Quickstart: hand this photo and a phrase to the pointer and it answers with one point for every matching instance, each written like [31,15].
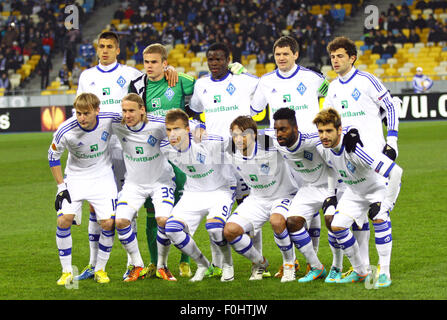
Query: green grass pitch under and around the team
[29,264]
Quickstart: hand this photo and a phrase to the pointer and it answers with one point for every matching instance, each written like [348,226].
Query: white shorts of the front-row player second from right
[307,202]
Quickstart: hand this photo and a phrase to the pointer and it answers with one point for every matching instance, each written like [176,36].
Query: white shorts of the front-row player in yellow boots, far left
[101,193]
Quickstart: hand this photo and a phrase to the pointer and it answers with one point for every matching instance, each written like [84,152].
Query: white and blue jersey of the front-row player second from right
[304,159]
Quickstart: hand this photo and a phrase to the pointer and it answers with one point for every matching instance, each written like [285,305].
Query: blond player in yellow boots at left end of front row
[88,176]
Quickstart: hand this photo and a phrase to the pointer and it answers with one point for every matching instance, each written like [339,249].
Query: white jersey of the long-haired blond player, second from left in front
[141,150]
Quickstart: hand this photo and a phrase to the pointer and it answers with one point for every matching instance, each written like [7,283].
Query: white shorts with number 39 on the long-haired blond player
[133,196]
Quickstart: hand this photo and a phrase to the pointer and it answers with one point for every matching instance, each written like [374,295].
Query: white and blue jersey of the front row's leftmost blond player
[88,150]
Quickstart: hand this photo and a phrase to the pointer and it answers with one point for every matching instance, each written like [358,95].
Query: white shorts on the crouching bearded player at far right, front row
[354,208]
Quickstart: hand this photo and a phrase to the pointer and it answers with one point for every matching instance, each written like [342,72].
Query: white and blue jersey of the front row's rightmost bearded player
[362,171]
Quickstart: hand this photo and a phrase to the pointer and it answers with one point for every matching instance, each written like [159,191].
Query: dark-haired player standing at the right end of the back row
[360,98]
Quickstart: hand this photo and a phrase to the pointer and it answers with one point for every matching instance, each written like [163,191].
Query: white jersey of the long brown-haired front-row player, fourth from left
[265,170]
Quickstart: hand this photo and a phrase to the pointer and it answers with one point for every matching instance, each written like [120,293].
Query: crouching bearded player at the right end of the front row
[367,195]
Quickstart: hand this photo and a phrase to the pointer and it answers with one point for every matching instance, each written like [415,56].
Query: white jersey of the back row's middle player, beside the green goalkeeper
[223,100]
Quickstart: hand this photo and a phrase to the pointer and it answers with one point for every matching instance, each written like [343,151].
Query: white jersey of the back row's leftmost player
[109,83]
